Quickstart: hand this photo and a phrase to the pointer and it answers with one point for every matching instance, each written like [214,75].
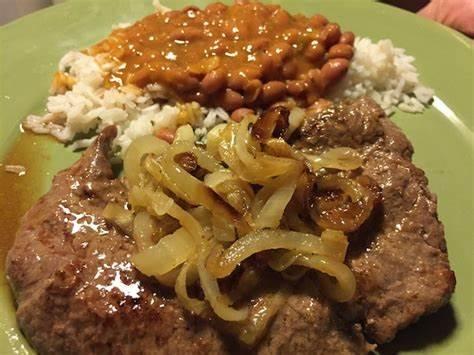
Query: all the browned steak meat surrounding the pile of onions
[77,292]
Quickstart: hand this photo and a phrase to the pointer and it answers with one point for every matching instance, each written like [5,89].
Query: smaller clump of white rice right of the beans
[385,73]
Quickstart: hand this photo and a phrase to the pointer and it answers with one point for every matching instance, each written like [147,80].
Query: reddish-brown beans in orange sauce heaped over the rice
[244,55]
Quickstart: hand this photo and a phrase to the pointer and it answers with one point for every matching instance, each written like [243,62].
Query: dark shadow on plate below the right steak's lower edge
[428,330]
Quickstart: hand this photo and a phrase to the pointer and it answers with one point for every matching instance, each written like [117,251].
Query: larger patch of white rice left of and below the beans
[88,106]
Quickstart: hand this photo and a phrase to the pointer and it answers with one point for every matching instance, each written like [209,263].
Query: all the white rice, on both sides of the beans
[378,70]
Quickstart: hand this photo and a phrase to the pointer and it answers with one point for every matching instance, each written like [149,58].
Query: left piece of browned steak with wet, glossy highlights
[77,292]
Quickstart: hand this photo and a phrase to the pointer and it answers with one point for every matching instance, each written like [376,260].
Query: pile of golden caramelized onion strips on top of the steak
[235,199]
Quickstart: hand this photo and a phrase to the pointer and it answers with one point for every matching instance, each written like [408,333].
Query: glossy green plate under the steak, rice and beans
[442,136]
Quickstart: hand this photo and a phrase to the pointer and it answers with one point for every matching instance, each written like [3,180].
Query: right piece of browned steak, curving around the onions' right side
[400,260]
